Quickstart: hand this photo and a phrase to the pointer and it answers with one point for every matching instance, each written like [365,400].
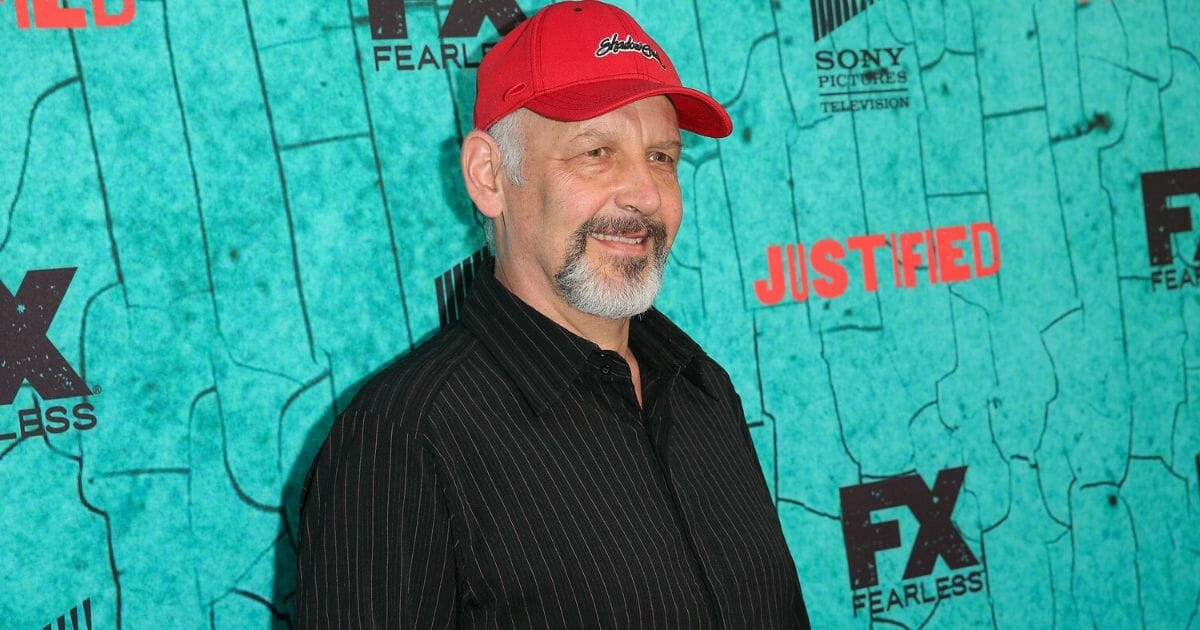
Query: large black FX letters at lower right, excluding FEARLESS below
[933,508]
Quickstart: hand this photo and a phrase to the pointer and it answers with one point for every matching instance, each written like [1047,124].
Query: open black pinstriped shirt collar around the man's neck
[543,358]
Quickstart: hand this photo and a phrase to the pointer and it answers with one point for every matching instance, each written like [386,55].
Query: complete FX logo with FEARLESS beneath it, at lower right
[938,537]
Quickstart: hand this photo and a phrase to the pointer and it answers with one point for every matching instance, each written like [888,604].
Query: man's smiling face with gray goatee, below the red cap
[599,211]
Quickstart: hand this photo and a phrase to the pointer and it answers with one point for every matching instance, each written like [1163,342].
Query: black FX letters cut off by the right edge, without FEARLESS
[1162,219]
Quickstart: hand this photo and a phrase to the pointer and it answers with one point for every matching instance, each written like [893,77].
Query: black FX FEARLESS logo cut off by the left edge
[27,355]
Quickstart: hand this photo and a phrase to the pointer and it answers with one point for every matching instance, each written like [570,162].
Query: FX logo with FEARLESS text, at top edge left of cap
[464,21]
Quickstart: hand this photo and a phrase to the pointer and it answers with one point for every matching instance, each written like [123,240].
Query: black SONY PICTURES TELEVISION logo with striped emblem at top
[856,80]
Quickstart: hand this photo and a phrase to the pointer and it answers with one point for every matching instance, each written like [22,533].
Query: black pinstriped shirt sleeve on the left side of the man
[376,547]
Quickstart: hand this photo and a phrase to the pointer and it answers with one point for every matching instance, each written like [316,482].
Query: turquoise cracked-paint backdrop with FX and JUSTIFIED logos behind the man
[950,257]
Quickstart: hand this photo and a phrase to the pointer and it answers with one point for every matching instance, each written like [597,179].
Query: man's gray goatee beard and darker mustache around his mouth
[590,291]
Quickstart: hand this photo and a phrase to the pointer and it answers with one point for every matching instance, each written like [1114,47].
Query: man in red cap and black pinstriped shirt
[565,457]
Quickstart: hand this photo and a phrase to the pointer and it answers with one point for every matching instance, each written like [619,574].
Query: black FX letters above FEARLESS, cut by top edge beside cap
[465,19]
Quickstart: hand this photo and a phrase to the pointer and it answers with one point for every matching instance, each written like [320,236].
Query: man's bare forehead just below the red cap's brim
[649,121]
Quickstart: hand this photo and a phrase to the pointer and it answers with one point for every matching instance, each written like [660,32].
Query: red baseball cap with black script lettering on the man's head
[579,61]
